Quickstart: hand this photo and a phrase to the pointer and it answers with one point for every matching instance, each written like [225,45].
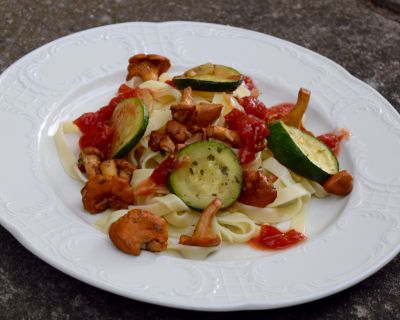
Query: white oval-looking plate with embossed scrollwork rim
[349,238]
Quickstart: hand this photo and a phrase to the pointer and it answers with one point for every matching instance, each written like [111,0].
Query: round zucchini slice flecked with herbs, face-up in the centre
[213,172]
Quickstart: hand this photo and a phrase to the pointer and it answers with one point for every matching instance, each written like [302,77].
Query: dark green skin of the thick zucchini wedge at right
[287,152]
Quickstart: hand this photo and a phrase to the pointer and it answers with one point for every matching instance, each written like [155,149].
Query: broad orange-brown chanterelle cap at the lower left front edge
[139,229]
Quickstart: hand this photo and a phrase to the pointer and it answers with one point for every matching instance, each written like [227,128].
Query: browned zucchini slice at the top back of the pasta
[209,77]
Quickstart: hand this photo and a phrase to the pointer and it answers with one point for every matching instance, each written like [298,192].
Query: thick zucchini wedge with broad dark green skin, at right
[302,153]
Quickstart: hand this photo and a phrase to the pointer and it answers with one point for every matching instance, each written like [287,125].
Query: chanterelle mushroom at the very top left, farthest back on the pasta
[147,66]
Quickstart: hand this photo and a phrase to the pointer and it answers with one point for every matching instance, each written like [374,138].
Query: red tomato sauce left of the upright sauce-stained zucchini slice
[96,127]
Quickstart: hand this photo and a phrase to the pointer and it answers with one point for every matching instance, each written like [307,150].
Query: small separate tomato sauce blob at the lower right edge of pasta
[271,238]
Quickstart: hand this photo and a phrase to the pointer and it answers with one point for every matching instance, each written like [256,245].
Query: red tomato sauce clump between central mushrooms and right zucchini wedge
[252,130]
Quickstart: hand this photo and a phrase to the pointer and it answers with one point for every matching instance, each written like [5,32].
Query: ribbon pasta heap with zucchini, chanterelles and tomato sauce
[189,162]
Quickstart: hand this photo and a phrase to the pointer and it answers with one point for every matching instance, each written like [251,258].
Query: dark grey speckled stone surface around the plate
[362,36]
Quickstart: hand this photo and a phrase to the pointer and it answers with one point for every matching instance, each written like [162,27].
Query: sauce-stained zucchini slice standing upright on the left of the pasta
[129,119]
